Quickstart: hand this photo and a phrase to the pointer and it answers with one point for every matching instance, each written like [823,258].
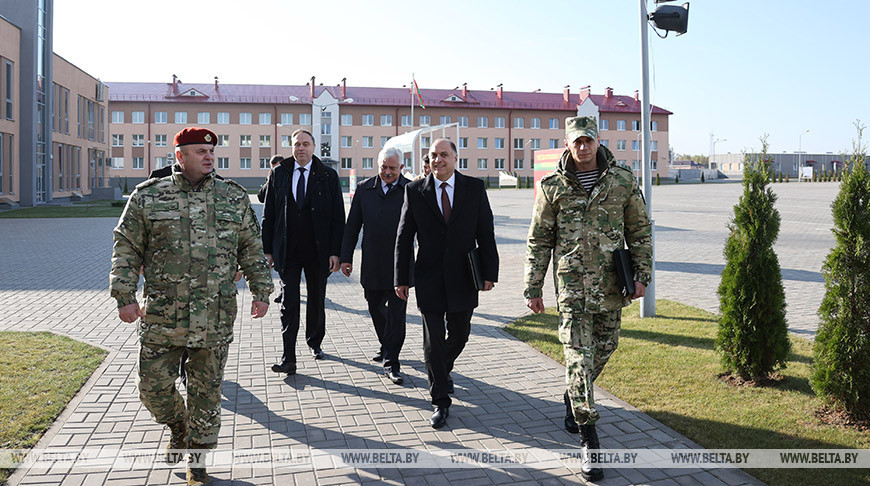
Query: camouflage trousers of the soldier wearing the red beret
[158,370]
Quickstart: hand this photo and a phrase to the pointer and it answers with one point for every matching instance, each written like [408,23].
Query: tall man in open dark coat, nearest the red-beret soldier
[303,221]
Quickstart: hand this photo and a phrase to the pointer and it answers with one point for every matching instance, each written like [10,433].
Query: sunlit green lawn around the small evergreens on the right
[666,366]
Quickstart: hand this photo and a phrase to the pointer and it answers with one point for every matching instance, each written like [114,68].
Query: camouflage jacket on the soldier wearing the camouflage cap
[581,230]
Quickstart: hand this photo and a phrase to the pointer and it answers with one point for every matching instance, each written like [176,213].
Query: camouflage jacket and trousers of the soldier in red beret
[189,242]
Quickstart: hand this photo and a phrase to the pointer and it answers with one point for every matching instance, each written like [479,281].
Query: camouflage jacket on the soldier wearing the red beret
[189,243]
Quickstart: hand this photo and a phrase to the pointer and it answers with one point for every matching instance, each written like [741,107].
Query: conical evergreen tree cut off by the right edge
[841,369]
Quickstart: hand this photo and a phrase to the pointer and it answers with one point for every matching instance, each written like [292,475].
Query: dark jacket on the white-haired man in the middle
[379,213]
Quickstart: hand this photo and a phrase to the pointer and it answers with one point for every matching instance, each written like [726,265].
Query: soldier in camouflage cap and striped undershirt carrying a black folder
[589,207]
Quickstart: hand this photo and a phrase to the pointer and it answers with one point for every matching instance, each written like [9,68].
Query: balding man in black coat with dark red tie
[450,215]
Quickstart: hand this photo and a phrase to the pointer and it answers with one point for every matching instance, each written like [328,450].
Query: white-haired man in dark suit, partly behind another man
[377,205]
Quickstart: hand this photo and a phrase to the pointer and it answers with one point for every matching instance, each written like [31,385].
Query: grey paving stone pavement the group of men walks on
[54,276]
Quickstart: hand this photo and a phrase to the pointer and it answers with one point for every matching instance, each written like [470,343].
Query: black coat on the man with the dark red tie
[441,273]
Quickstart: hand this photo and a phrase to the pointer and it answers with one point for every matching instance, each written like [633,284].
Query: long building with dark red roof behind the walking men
[494,130]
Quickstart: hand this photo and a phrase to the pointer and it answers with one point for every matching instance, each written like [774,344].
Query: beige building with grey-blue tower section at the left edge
[53,134]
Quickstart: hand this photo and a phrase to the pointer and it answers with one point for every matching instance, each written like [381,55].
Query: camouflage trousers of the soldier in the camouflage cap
[589,340]
